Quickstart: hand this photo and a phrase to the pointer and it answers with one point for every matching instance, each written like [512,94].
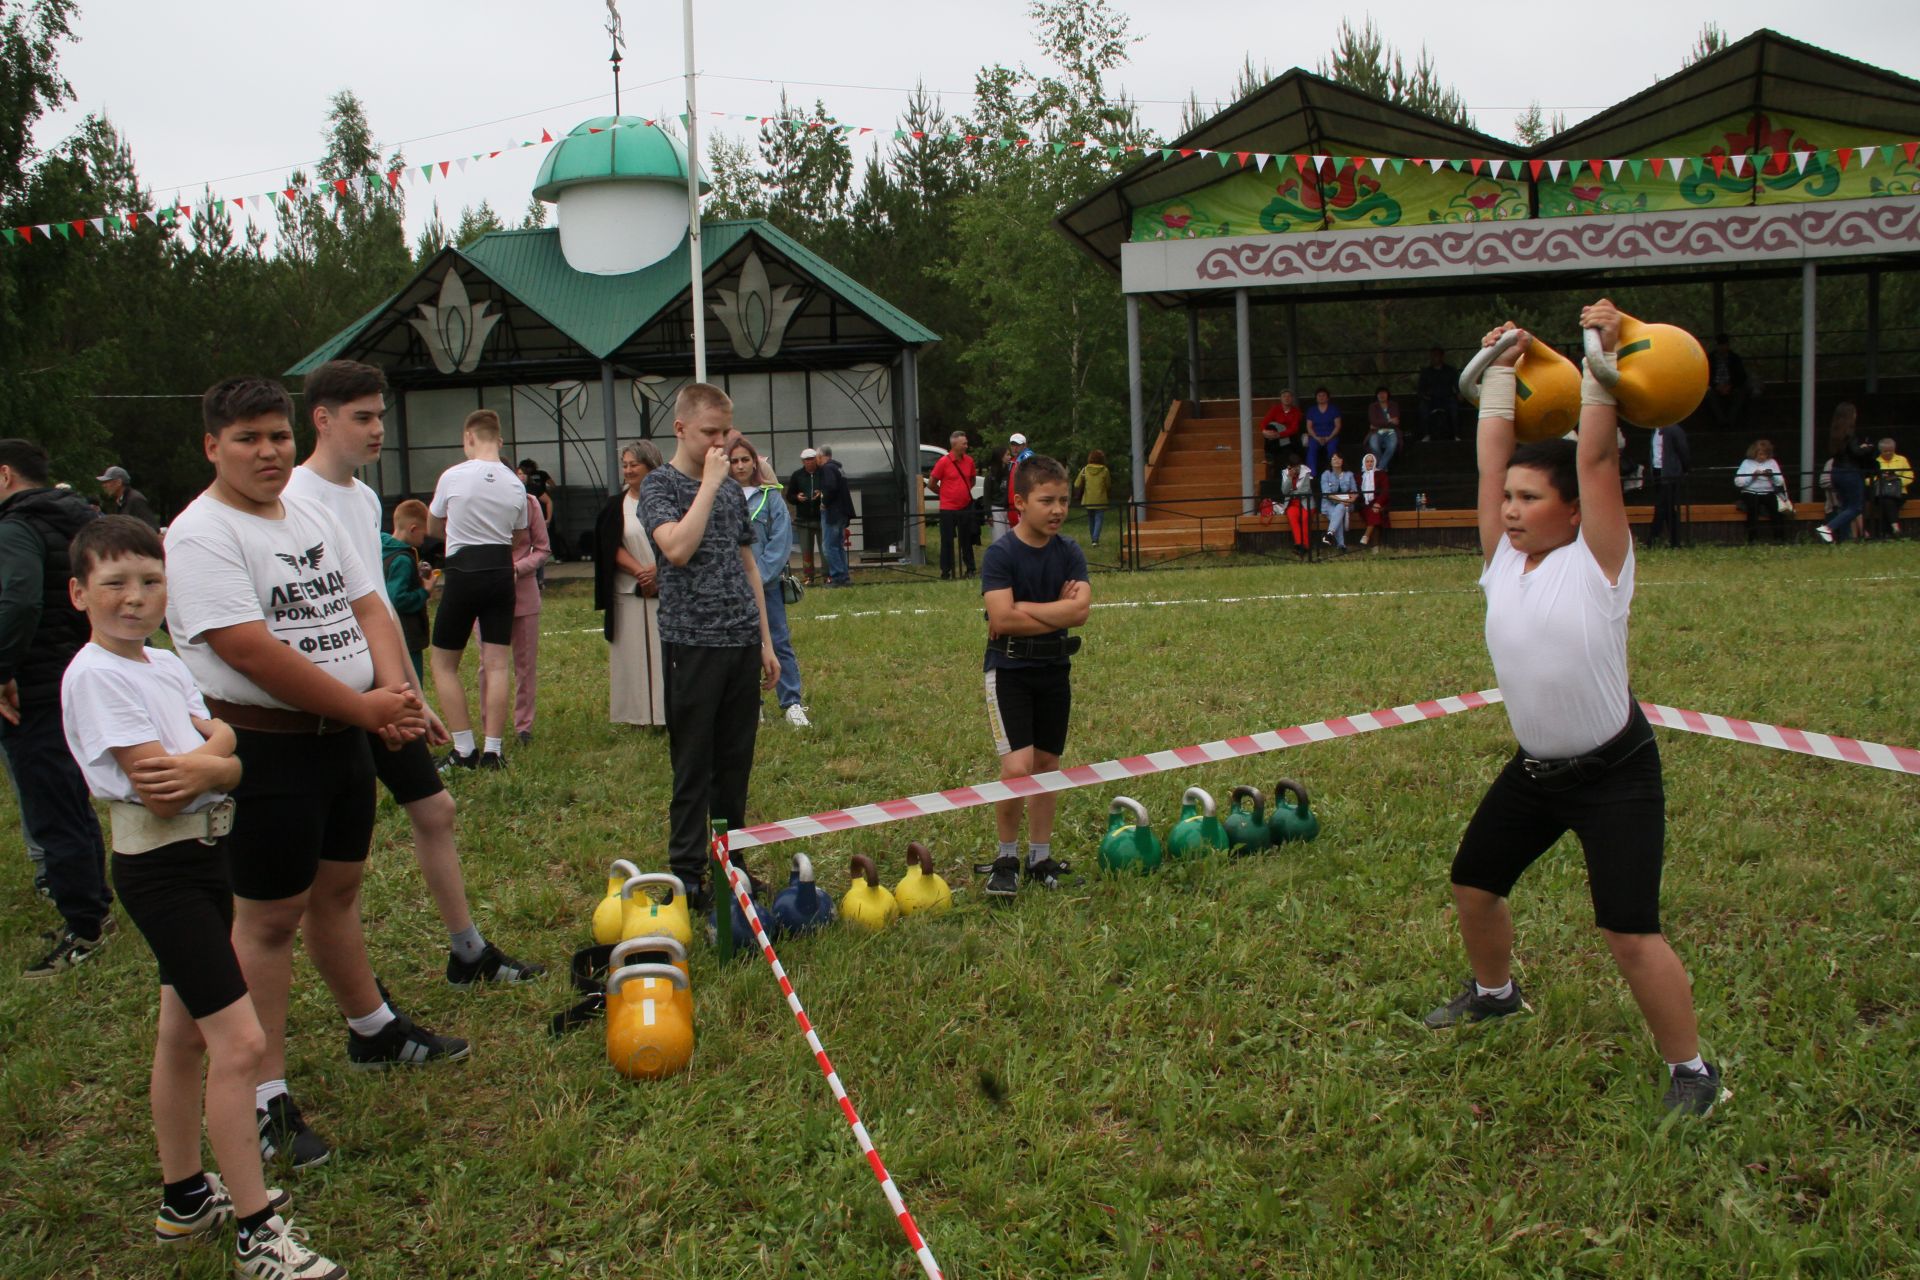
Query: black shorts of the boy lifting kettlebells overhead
[1621,820]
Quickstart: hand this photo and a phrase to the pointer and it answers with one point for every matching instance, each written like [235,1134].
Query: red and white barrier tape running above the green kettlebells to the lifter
[1109,770]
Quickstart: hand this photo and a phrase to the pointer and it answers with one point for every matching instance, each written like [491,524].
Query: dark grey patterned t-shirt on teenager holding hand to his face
[706,602]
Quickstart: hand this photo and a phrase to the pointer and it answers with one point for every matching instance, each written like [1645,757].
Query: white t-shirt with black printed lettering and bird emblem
[299,575]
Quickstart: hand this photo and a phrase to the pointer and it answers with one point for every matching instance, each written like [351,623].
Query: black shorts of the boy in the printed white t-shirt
[302,797]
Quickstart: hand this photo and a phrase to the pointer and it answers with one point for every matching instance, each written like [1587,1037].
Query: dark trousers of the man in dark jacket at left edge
[60,817]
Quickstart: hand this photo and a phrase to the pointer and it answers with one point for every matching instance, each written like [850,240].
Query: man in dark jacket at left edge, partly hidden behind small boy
[39,634]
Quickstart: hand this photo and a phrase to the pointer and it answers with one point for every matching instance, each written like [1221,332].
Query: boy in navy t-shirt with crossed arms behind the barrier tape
[1034,584]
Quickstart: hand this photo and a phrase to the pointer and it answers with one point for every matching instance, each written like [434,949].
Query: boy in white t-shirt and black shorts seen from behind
[481,510]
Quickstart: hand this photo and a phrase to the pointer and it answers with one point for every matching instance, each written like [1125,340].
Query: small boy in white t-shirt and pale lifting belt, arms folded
[145,740]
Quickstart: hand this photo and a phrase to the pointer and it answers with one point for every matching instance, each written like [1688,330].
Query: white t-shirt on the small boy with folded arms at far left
[110,701]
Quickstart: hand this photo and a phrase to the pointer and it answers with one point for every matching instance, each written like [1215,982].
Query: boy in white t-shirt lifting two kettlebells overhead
[1560,581]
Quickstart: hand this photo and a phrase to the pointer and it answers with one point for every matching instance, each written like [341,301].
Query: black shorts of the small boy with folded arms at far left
[178,897]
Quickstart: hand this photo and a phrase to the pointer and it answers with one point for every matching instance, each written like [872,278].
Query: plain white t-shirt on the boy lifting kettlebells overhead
[1558,638]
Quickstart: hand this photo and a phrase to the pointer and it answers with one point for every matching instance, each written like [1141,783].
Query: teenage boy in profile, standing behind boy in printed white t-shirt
[347,404]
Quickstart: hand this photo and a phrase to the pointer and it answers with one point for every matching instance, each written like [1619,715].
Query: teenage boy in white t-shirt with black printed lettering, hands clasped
[291,644]
